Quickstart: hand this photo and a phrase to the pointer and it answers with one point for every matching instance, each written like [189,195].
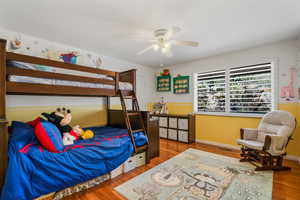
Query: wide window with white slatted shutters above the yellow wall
[245,89]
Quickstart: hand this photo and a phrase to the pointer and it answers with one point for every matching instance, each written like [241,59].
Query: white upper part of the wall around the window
[284,53]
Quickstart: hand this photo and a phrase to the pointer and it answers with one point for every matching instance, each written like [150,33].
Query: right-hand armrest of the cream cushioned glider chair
[275,144]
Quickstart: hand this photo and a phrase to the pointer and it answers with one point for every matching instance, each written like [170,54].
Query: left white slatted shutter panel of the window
[211,91]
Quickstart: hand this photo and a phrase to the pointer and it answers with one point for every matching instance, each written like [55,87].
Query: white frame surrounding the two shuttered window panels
[274,88]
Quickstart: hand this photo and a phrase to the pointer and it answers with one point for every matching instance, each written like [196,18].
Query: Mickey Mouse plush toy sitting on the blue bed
[61,119]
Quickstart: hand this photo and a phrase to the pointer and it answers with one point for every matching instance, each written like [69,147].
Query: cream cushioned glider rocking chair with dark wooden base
[267,144]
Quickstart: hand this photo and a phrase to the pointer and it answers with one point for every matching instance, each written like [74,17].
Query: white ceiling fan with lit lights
[163,41]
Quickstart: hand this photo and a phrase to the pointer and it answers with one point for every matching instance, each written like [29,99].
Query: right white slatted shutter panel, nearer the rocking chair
[250,89]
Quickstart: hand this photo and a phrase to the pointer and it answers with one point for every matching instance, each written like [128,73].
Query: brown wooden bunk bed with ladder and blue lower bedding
[18,78]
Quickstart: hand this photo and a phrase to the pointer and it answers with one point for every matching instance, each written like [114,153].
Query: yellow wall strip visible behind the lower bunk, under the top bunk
[90,115]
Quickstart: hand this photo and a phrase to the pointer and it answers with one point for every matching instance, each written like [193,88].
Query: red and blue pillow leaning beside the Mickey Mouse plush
[49,136]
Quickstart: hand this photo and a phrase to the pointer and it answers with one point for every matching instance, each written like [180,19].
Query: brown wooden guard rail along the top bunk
[44,89]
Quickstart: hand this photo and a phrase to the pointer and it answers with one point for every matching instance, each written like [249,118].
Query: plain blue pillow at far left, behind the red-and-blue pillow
[21,134]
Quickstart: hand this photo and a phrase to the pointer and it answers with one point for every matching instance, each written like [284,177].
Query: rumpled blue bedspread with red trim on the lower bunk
[33,171]
